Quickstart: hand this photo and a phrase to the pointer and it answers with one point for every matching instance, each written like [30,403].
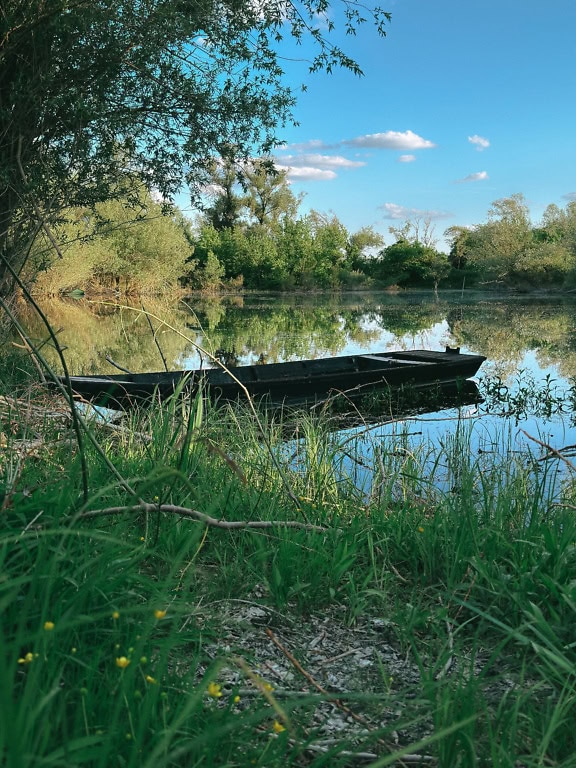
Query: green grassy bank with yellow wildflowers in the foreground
[428,618]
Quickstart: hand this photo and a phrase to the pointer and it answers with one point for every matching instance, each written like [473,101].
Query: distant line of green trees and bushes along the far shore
[250,234]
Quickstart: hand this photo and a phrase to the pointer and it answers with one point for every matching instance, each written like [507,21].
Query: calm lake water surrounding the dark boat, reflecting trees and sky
[530,344]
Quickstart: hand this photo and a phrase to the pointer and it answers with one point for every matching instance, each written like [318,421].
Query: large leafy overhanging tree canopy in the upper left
[90,89]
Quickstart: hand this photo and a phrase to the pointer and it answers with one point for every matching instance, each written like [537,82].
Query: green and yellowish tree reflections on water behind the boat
[278,328]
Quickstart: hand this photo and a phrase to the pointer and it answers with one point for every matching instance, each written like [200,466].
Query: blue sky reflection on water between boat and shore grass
[492,446]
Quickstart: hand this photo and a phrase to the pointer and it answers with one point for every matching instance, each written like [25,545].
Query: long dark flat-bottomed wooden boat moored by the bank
[281,382]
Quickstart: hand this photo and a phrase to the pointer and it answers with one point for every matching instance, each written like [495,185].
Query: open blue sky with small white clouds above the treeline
[462,103]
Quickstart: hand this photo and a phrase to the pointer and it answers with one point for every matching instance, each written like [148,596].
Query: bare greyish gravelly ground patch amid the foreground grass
[359,690]
